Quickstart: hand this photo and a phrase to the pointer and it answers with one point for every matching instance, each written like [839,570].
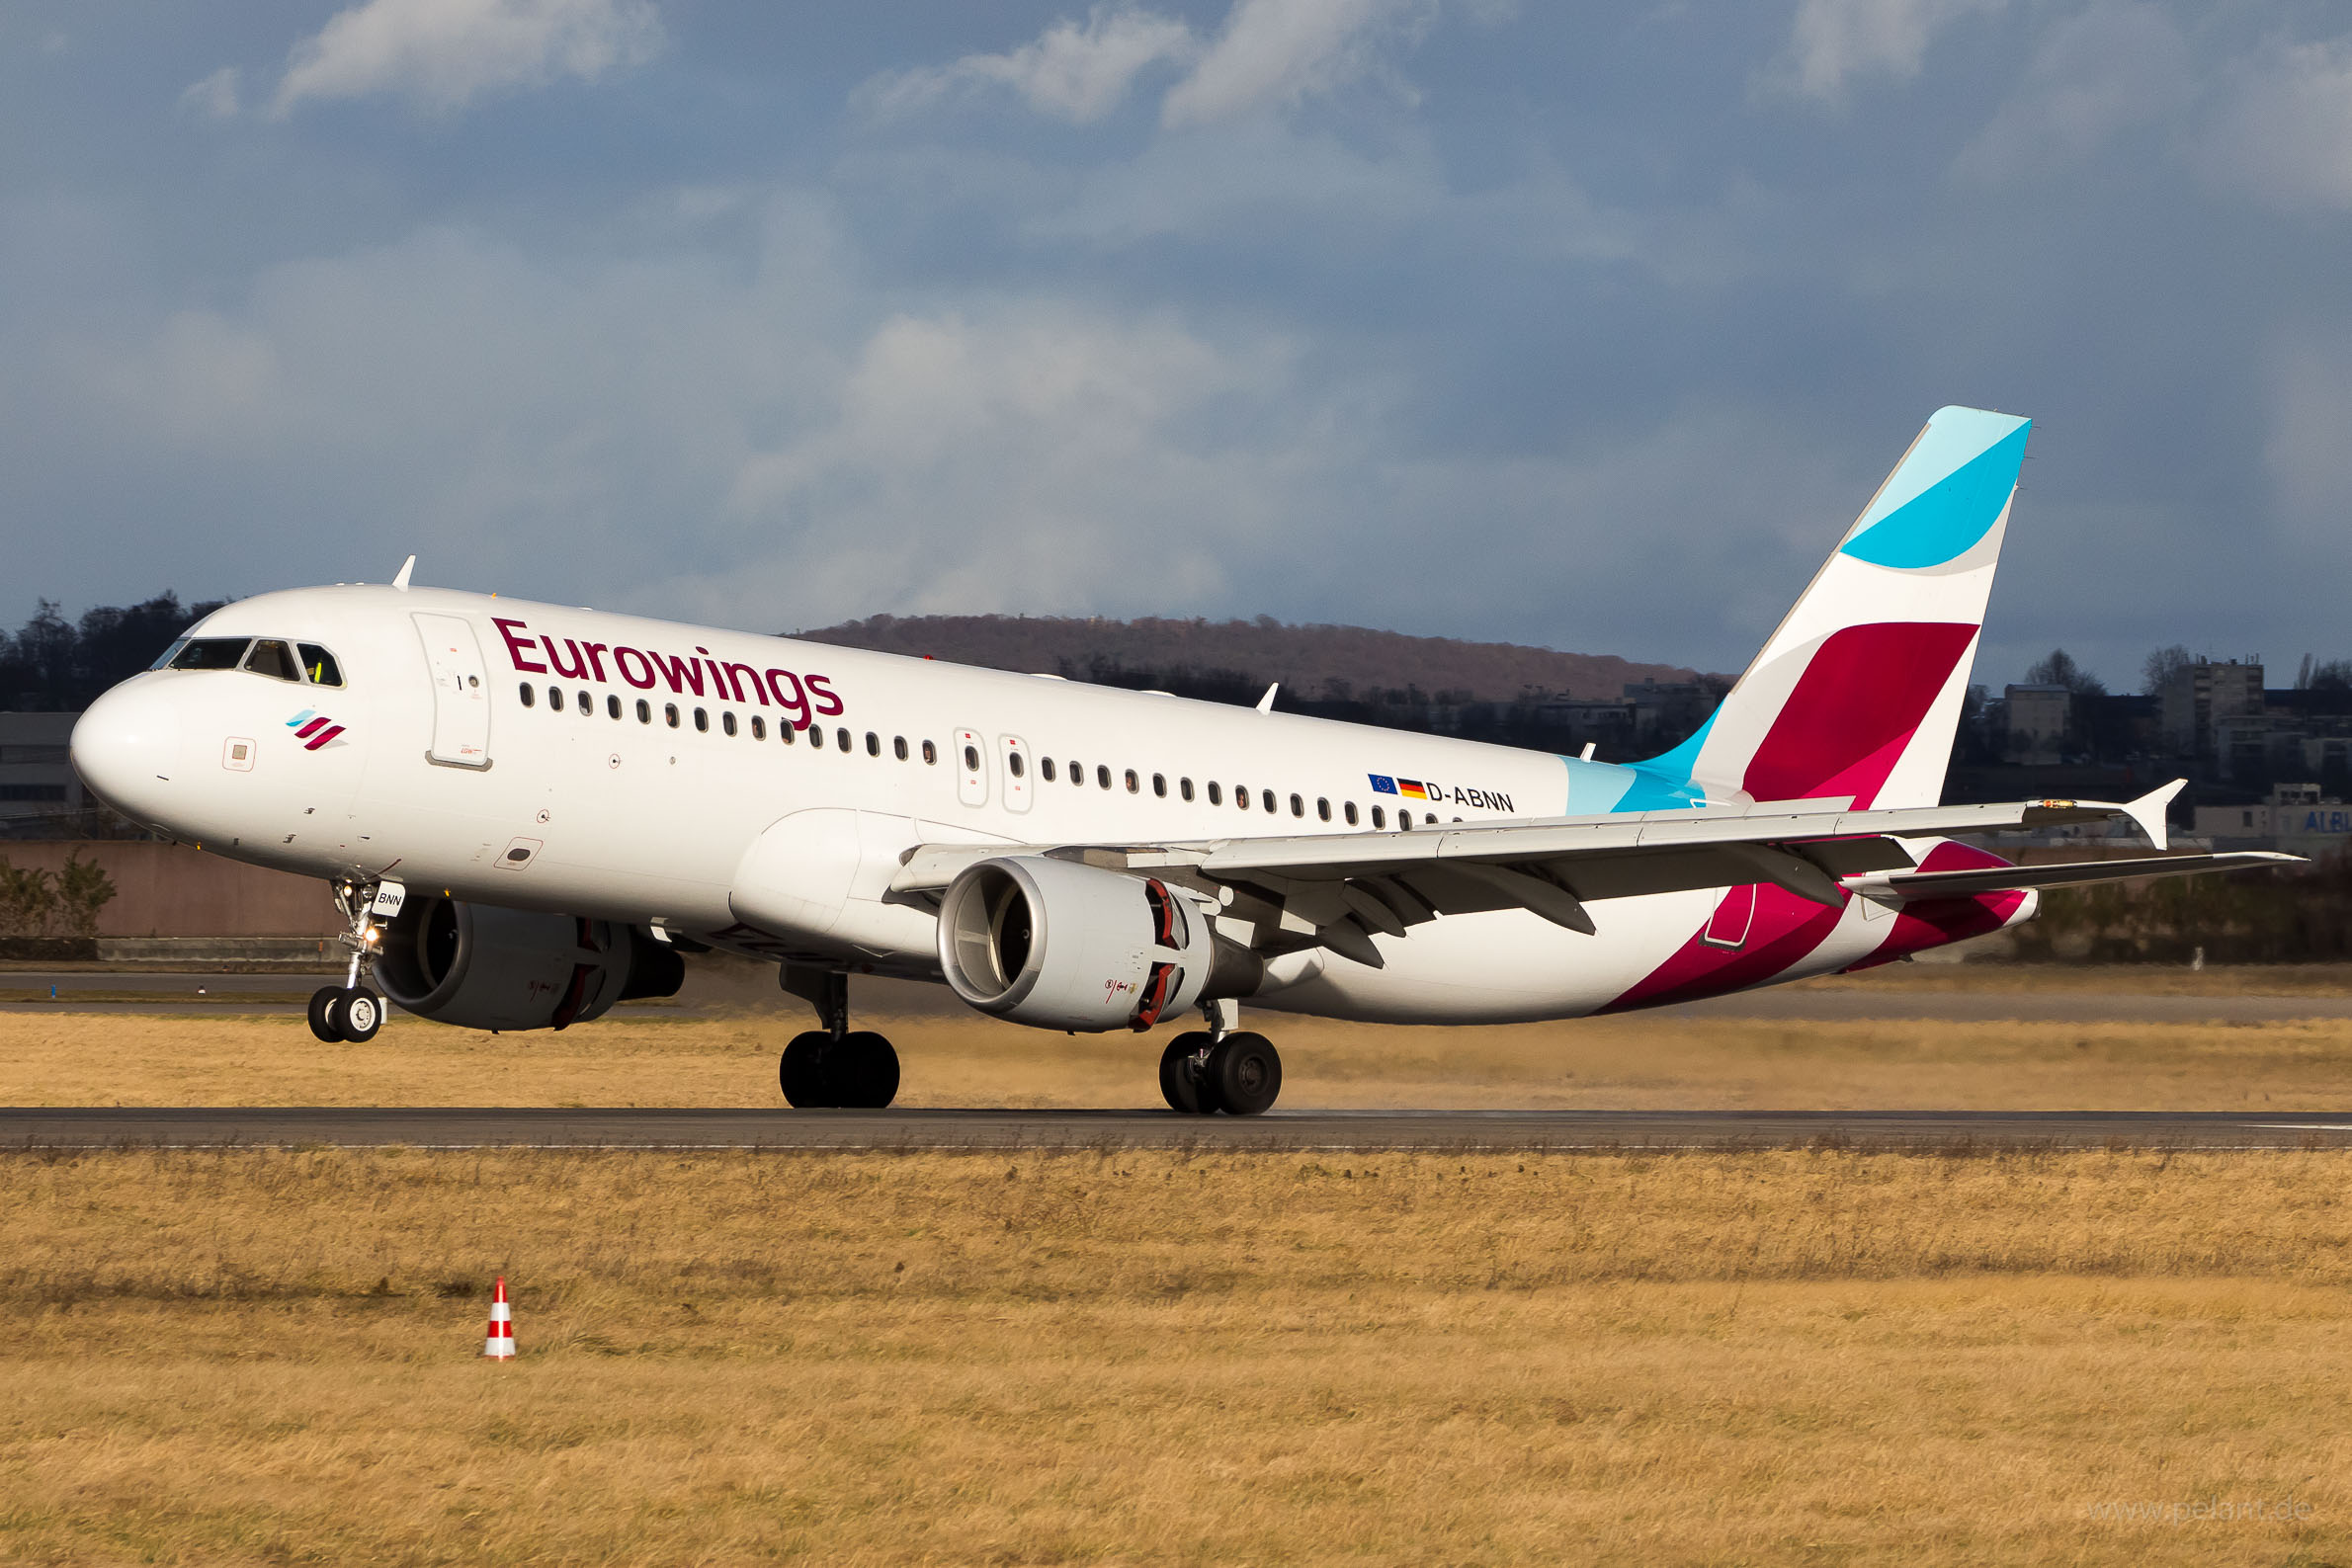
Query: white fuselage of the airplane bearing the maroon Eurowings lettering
[592,800]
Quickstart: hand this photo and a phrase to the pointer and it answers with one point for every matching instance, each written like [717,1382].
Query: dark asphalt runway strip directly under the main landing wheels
[1365,1132]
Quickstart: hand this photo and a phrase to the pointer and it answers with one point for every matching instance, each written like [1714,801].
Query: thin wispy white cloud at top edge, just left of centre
[1071,72]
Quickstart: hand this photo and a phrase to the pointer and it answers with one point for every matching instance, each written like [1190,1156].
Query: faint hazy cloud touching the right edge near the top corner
[2285,135]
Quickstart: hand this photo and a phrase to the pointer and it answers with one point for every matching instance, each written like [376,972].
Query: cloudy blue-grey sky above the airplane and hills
[1582,326]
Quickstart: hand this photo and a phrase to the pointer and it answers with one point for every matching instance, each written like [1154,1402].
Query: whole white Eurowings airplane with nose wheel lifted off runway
[528,815]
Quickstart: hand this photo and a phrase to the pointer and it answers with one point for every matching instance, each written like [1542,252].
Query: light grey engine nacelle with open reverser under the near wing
[1069,946]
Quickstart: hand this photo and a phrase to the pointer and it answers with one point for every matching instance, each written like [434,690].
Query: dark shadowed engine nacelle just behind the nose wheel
[483,967]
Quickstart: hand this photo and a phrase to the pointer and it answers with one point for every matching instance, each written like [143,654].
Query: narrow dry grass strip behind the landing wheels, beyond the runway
[1643,1061]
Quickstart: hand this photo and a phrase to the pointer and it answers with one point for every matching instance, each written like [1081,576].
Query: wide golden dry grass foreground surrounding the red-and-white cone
[1791,1358]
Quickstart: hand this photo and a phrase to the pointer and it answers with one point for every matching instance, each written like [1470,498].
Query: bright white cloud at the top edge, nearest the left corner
[448,53]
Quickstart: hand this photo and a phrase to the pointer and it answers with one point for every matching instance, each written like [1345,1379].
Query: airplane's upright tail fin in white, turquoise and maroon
[1862,688]
